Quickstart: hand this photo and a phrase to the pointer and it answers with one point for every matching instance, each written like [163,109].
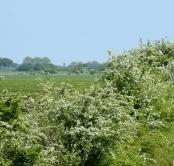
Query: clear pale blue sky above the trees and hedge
[80,30]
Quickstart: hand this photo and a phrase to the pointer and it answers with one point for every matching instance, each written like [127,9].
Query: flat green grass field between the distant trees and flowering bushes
[26,83]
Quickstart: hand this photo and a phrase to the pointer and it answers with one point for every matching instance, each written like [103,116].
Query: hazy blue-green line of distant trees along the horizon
[39,64]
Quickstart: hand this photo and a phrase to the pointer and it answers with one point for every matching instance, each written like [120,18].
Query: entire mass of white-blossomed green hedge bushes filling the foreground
[125,119]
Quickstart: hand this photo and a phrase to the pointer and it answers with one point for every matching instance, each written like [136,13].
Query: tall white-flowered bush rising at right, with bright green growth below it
[145,75]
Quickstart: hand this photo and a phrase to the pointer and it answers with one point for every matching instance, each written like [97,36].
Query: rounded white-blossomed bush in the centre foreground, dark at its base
[92,123]
